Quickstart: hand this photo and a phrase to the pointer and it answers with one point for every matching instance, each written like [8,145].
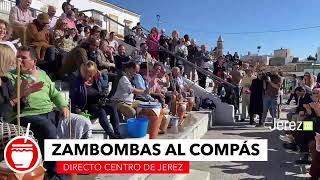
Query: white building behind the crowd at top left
[91,7]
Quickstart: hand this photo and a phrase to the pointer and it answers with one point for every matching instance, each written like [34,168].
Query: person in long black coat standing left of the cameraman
[256,98]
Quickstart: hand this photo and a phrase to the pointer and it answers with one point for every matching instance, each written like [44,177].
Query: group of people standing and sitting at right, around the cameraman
[261,93]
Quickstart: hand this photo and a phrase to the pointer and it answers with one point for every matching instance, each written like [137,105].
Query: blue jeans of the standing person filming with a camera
[269,103]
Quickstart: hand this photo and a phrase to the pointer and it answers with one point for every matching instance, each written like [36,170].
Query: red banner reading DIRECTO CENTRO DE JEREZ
[123,167]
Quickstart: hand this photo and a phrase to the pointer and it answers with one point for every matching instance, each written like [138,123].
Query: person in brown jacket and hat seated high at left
[37,36]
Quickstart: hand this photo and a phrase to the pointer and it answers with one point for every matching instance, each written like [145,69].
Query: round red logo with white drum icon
[22,154]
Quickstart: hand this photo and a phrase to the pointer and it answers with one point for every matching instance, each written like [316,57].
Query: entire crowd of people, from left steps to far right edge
[73,48]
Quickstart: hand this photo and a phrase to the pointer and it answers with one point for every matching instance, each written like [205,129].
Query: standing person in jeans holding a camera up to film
[272,85]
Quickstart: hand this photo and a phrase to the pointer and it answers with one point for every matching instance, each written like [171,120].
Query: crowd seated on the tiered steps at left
[73,49]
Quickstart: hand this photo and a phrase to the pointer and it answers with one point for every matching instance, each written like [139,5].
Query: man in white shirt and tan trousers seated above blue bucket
[123,98]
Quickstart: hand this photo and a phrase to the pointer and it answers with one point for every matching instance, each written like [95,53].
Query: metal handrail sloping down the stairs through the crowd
[199,69]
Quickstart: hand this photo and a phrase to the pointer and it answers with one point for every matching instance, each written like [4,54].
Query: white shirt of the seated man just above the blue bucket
[124,92]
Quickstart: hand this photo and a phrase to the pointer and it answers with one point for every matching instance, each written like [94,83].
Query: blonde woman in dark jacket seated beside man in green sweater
[89,91]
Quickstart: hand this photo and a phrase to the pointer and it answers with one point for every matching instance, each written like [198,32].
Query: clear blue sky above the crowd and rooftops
[204,19]
